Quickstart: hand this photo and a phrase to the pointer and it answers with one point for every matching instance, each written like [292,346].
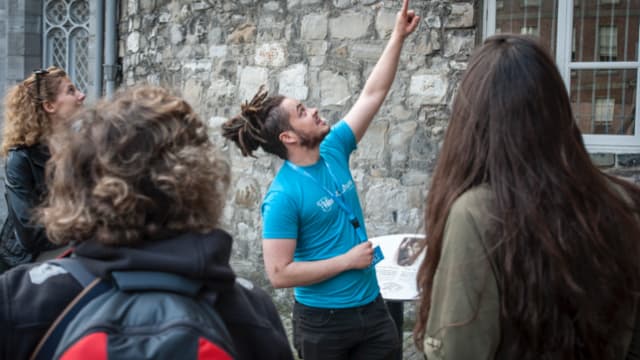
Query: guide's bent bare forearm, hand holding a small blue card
[283,272]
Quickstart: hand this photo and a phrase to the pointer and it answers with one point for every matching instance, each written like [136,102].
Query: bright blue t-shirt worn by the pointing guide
[297,207]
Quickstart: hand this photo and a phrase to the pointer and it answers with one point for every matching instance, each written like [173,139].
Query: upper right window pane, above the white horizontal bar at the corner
[605,30]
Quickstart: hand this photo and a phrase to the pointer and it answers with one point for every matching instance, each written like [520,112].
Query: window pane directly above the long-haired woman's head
[533,17]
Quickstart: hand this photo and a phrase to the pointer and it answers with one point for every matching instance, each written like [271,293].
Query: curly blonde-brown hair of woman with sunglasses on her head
[25,121]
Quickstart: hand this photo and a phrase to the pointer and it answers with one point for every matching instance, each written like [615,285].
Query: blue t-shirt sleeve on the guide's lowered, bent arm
[279,216]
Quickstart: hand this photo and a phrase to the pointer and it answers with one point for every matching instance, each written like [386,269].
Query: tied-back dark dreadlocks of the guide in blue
[259,124]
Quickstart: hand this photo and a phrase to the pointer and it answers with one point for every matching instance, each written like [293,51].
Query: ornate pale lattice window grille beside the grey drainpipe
[66,38]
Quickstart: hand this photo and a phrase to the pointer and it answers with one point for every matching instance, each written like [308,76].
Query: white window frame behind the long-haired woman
[594,142]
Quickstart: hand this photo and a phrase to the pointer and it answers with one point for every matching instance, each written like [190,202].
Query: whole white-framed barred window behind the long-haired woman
[595,44]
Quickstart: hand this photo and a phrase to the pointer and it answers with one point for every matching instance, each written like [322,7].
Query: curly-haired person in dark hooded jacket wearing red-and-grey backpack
[137,185]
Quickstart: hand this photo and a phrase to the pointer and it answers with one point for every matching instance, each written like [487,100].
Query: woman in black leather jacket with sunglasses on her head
[32,108]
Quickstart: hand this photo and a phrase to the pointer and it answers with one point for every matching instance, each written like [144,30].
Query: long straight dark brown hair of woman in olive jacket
[566,242]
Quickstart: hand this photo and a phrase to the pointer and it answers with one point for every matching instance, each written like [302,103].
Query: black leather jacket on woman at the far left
[21,240]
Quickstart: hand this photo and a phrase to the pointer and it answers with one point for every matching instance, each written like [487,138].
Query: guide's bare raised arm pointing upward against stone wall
[379,82]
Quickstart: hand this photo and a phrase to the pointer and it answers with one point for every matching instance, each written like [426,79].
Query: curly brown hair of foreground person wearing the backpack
[138,168]
